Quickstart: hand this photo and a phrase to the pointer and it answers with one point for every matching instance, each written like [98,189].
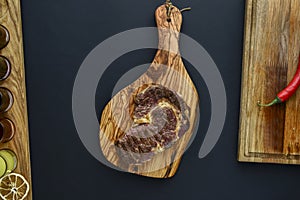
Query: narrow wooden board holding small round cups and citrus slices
[10,17]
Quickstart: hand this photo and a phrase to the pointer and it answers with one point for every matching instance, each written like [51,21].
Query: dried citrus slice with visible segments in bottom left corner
[13,187]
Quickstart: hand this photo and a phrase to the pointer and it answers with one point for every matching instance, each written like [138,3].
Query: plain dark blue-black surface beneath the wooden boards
[58,35]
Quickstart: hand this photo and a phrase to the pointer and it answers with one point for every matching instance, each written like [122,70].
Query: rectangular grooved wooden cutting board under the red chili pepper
[271,50]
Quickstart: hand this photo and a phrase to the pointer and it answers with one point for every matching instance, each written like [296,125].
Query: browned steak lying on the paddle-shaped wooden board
[160,119]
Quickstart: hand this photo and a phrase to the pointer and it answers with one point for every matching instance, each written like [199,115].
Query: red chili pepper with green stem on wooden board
[285,94]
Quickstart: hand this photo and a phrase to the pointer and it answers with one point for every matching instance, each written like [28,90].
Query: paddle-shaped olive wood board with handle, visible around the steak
[167,70]
